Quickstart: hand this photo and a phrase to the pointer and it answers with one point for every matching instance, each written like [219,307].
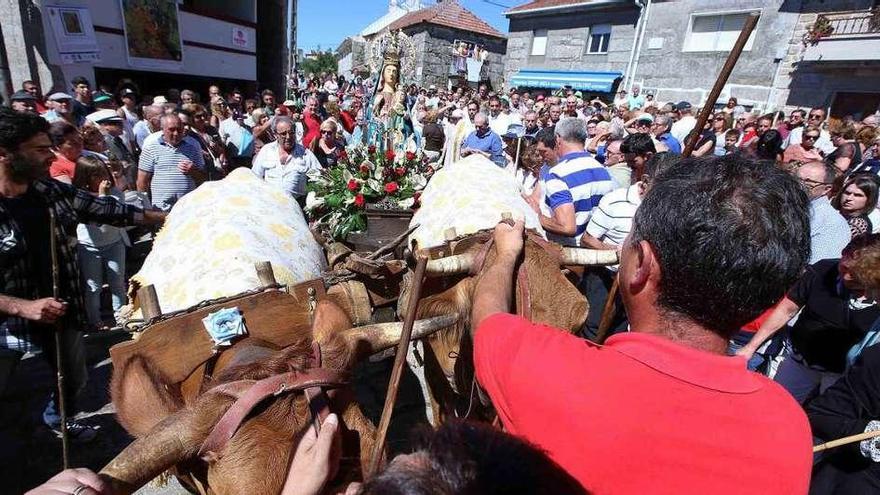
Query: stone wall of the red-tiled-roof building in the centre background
[434,54]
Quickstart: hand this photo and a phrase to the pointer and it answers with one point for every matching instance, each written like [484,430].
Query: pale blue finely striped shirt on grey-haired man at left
[161,159]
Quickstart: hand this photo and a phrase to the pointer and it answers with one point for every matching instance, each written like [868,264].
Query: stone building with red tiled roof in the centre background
[436,29]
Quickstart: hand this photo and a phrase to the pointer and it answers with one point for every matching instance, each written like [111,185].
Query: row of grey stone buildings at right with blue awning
[676,48]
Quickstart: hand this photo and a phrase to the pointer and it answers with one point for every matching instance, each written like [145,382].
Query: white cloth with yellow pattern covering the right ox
[470,195]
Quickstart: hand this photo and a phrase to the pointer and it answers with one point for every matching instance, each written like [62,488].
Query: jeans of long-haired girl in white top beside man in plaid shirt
[97,266]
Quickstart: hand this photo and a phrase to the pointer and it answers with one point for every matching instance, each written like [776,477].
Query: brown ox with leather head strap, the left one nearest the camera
[171,424]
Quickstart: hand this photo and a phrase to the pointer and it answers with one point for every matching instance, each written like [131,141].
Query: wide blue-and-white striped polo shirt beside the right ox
[580,180]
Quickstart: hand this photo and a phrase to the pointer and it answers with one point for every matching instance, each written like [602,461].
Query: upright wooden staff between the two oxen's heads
[399,361]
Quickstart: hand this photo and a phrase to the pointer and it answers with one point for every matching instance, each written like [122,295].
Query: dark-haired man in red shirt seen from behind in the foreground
[662,409]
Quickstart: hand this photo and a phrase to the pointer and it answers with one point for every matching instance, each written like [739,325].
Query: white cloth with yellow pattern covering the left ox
[215,234]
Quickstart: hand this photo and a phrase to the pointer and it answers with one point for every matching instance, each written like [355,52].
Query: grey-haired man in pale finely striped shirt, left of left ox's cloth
[171,166]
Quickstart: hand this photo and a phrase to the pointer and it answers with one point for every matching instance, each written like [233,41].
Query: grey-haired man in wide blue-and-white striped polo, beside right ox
[574,185]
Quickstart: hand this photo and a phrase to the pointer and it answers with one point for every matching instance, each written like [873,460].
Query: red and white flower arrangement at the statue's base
[338,196]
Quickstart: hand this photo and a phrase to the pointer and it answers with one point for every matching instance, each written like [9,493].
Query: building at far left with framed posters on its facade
[217,41]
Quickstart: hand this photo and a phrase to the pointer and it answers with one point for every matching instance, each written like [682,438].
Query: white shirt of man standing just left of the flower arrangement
[289,175]
